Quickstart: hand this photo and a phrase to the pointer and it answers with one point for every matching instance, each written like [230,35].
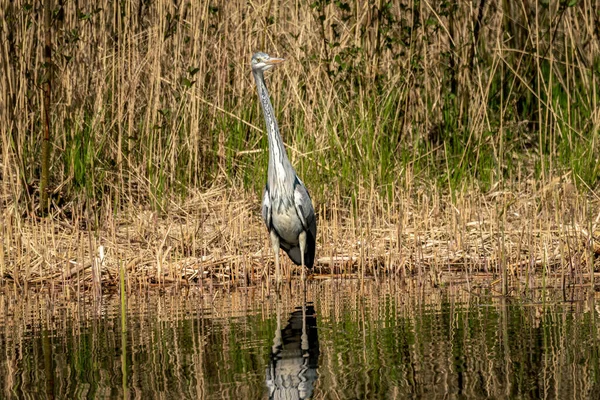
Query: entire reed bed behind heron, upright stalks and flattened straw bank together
[433,138]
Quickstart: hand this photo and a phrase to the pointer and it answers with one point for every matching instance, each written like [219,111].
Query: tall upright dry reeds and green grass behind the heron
[403,102]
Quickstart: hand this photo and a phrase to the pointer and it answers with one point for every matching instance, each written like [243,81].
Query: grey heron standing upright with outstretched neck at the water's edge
[286,206]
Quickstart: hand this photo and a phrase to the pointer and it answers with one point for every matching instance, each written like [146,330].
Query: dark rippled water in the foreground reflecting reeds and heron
[342,340]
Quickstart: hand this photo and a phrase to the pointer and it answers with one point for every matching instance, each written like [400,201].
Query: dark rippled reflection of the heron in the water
[292,372]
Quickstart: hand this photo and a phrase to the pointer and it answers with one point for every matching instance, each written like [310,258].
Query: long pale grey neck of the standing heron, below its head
[279,164]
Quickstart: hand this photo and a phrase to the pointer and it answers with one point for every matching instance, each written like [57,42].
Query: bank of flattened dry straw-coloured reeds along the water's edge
[218,237]
